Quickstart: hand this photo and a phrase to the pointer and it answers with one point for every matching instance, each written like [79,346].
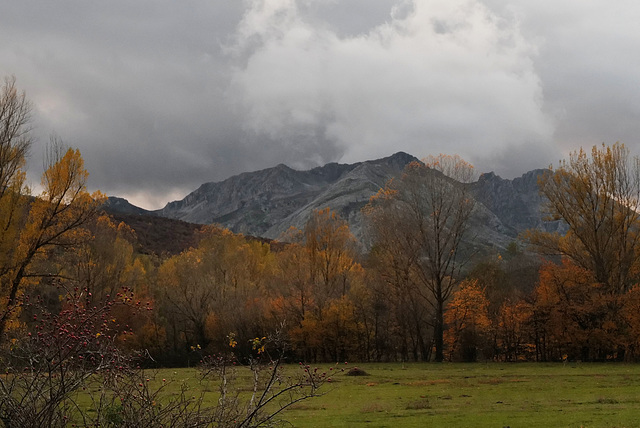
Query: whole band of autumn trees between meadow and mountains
[69,271]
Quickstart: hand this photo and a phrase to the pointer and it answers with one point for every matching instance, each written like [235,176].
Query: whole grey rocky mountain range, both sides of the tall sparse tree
[268,202]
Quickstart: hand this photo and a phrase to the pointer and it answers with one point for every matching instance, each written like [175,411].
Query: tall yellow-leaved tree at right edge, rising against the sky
[597,195]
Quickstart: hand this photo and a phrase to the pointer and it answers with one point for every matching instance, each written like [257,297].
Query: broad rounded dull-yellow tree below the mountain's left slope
[207,292]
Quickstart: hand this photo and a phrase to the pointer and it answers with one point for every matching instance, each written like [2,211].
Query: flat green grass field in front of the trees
[472,395]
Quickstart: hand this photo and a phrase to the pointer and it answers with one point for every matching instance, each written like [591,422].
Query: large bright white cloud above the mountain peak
[437,76]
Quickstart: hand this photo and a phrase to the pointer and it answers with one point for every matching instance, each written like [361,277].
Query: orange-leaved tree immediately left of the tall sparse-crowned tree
[318,270]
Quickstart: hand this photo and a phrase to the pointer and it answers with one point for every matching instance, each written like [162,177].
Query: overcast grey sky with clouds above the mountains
[161,96]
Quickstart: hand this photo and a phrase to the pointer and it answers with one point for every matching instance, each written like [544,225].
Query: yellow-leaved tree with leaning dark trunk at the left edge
[29,228]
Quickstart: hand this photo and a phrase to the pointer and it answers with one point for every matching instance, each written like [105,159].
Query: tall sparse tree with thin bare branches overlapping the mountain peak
[422,218]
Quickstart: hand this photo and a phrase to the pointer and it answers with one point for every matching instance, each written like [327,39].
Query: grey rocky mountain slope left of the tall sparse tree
[267,202]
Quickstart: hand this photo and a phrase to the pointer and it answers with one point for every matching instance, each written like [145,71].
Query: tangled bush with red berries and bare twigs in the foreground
[71,357]
